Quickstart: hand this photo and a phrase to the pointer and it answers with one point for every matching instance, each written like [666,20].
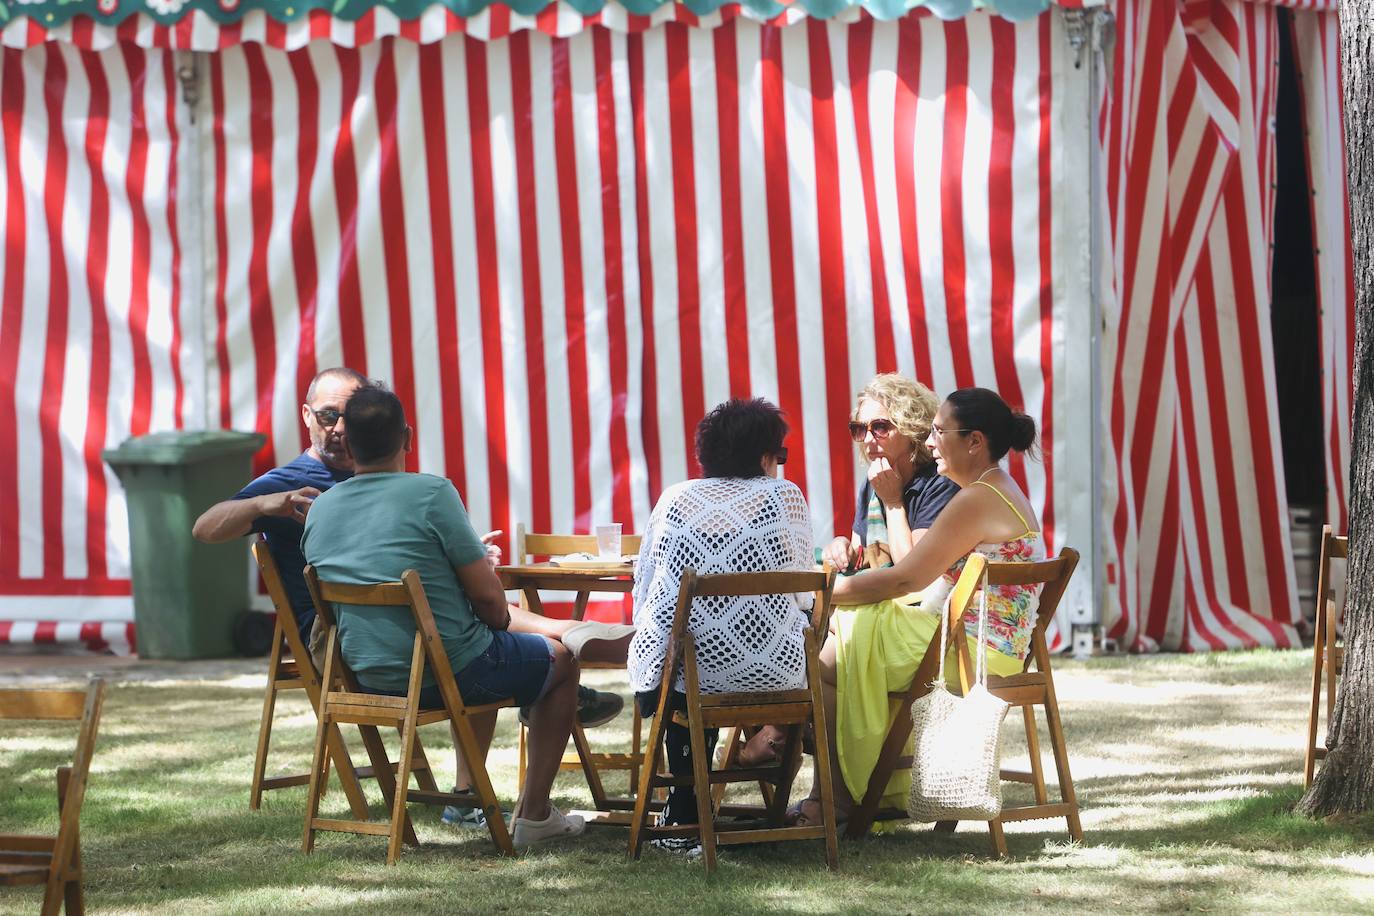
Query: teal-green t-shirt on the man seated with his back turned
[372,529]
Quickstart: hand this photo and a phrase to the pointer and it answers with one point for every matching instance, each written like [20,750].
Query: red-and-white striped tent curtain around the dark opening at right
[1199,523]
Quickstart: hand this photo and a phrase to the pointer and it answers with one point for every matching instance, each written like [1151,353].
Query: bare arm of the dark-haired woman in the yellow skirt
[957,532]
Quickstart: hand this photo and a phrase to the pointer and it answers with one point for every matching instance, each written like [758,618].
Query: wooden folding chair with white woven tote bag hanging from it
[1028,690]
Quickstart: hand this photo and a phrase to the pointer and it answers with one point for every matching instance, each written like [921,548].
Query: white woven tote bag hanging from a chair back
[957,762]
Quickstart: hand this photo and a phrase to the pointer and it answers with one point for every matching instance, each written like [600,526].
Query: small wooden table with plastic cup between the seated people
[530,580]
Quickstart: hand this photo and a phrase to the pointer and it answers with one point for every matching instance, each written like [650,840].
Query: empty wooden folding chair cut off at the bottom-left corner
[56,862]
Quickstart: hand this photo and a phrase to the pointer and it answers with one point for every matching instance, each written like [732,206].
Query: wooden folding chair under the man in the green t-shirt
[344,702]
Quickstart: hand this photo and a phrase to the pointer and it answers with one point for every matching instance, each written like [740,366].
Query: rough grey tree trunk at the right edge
[1346,782]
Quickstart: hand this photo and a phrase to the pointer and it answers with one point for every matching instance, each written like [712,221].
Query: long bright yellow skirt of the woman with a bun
[877,652]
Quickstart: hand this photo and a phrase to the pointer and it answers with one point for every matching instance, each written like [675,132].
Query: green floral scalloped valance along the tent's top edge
[54,13]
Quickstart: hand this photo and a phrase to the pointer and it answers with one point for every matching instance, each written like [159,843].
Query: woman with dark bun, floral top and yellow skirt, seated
[888,617]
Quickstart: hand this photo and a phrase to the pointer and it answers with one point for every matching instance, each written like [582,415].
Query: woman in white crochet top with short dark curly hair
[739,518]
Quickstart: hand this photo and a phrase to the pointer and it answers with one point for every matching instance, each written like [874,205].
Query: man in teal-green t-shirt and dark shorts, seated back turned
[385,521]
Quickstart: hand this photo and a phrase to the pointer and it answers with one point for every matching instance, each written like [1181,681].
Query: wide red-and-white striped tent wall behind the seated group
[560,249]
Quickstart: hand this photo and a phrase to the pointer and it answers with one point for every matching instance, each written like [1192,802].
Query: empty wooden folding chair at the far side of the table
[528,549]
